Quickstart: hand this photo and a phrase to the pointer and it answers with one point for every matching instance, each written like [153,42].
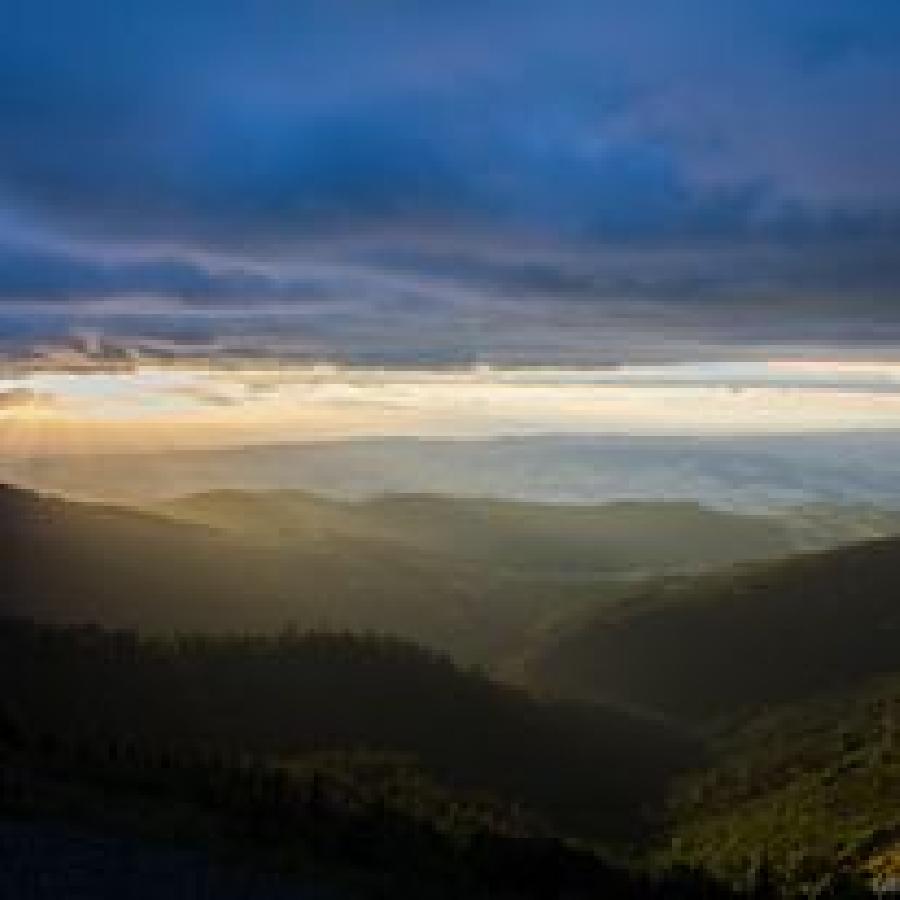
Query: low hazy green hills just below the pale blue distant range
[622,537]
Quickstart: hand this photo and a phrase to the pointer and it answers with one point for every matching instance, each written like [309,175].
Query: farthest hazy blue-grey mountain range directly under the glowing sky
[746,473]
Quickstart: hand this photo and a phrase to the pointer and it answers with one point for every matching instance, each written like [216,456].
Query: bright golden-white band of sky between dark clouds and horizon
[146,407]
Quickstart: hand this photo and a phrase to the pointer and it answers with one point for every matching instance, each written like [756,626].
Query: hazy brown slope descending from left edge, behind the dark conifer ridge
[76,562]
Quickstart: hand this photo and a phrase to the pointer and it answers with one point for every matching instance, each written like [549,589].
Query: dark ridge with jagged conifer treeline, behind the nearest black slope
[582,766]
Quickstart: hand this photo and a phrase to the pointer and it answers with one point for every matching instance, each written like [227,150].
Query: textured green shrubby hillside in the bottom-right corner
[810,788]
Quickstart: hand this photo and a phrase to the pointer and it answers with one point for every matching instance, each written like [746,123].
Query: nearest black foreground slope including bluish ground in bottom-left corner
[120,821]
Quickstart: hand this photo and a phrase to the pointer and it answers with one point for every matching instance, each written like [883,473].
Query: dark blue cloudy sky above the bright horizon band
[398,183]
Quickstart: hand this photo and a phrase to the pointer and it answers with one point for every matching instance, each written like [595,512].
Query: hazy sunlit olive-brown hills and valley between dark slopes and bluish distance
[469,577]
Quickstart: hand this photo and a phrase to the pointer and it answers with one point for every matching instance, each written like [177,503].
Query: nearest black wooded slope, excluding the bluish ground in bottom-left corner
[330,821]
